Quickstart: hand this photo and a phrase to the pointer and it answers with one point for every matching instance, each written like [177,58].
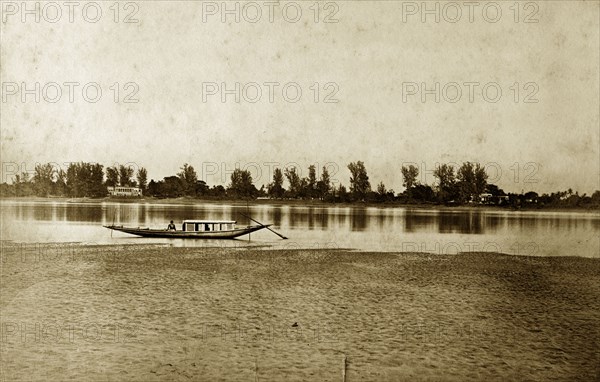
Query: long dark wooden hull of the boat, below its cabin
[159,233]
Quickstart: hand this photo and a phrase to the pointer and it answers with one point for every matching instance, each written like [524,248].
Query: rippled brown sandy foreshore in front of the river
[150,313]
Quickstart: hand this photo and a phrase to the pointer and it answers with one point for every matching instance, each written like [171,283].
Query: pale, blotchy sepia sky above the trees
[371,55]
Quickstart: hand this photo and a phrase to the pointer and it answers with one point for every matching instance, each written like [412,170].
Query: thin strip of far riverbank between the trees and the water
[294,203]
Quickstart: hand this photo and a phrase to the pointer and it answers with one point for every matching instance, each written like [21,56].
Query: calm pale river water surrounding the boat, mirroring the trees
[363,228]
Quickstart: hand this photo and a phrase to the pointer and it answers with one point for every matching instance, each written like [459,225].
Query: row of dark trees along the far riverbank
[454,186]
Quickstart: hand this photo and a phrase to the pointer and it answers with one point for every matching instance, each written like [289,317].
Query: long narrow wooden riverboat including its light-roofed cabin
[194,229]
